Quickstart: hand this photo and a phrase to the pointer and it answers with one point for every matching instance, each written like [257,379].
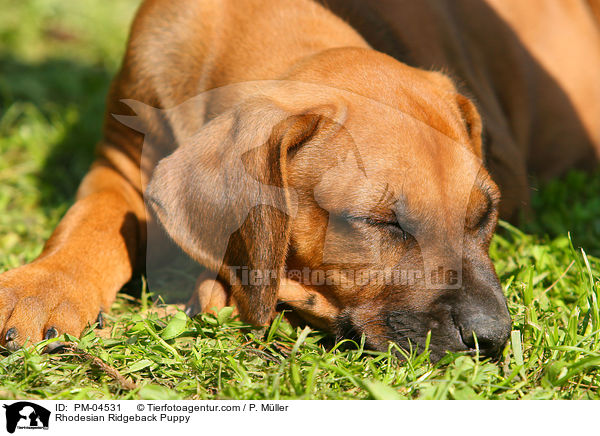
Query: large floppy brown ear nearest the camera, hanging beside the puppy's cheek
[223,197]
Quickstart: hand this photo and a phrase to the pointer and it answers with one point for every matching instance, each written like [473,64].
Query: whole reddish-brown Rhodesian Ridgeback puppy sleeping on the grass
[325,157]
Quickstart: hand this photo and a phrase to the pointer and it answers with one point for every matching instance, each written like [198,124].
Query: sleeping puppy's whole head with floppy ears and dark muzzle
[355,190]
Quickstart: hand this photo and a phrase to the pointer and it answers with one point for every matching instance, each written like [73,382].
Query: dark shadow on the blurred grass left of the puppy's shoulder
[70,93]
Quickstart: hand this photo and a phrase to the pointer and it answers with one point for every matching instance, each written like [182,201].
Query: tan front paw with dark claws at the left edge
[37,303]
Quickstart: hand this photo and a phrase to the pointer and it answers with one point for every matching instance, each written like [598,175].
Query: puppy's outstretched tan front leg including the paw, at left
[90,256]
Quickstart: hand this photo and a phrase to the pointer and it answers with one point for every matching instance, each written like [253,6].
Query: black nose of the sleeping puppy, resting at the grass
[492,332]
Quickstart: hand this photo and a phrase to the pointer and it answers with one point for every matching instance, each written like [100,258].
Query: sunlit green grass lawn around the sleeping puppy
[56,60]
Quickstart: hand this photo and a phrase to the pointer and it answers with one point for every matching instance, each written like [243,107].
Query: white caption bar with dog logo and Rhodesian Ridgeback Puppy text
[22,417]
